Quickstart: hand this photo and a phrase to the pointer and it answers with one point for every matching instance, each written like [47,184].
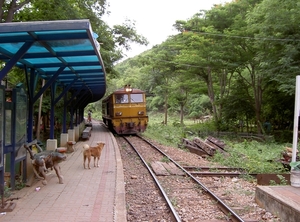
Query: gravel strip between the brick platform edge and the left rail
[144,200]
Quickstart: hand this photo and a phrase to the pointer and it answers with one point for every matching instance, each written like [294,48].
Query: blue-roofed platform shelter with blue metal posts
[65,54]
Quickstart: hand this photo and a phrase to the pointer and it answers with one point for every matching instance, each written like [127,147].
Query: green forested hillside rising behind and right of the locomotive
[236,62]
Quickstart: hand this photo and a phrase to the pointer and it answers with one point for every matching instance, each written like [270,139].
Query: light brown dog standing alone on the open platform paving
[88,152]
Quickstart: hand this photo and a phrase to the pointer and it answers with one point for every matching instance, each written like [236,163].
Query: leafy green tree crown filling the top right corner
[275,25]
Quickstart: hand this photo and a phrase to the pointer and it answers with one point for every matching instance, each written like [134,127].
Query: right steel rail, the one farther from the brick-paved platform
[226,209]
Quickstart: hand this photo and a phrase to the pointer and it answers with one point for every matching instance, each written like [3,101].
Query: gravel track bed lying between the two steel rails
[175,181]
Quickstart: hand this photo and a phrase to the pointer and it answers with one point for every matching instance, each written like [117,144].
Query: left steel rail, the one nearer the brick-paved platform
[174,213]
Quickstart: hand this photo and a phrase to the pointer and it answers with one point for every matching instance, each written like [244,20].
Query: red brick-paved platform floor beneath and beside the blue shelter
[96,194]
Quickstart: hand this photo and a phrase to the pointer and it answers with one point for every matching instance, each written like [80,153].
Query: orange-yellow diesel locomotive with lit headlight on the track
[124,111]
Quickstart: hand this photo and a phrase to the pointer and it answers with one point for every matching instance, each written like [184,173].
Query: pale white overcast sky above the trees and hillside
[154,18]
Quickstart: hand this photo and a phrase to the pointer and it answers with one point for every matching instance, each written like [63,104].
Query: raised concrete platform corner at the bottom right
[283,201]
